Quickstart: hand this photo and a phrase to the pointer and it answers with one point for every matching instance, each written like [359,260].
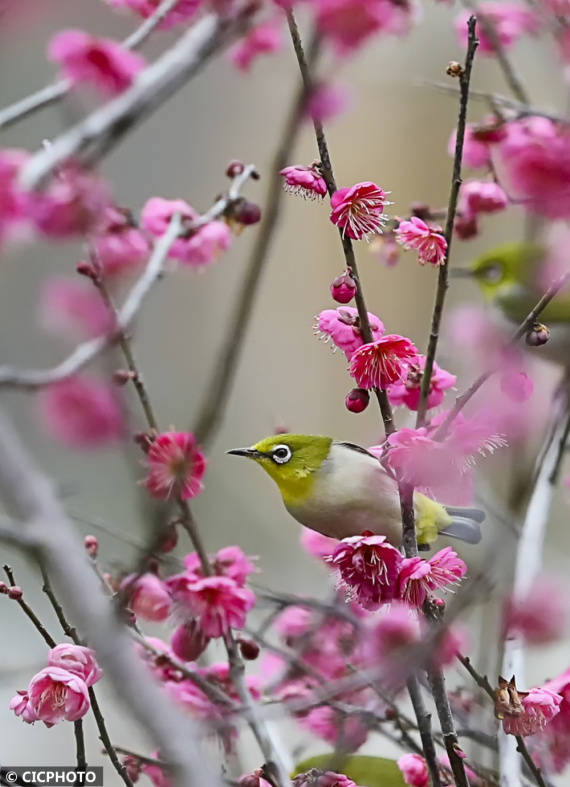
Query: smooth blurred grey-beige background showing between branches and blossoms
[396,134]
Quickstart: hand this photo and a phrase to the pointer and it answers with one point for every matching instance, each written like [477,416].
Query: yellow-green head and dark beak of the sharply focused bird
[291,460]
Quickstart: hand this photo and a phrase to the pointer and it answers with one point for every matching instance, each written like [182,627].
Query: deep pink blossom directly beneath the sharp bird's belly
[369,567]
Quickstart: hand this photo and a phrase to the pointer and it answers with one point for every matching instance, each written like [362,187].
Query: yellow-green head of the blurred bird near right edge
[504,268]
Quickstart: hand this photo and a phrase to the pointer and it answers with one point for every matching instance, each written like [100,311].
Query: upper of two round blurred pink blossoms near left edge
[73,310]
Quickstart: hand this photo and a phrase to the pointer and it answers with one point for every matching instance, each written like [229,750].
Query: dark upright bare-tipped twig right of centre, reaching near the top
[443,273]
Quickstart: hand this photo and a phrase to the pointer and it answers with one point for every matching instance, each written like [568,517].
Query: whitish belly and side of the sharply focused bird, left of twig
[351,493]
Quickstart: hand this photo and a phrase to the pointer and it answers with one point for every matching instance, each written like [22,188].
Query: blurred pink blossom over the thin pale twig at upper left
[99,61]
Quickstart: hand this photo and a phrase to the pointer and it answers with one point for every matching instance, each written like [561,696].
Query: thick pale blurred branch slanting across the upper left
[106,126]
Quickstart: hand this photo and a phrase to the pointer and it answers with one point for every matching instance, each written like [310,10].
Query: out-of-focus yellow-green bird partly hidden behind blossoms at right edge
[509,277]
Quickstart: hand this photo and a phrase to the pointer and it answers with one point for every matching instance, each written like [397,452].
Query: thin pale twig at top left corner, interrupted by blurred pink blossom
[58,90]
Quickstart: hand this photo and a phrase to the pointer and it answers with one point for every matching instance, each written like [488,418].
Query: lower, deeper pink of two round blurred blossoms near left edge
[81,412]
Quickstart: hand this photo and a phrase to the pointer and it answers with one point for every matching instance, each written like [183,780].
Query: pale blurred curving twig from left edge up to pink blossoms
[84,353]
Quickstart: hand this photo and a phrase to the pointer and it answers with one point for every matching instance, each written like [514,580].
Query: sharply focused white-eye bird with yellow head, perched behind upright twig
[340,490]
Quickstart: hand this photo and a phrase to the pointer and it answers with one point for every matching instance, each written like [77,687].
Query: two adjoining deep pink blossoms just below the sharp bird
[375,572]
